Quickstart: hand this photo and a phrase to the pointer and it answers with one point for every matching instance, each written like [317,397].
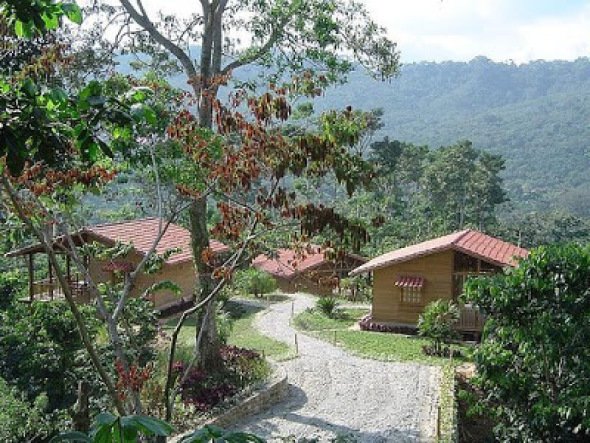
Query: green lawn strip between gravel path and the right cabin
[375,345]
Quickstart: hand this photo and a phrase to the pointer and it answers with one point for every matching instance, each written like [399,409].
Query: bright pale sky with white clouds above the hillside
[503,30]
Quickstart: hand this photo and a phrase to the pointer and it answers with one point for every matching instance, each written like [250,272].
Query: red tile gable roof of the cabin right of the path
[470,242]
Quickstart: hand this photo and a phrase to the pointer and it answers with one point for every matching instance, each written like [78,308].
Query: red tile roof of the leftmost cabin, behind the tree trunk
[141,233]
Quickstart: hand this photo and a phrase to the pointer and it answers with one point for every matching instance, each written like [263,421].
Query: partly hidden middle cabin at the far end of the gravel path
[312,270]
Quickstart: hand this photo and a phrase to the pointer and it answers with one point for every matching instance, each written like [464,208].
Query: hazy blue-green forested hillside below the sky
[536,115]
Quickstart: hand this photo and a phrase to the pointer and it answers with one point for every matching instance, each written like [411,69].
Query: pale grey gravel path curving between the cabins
[333,393]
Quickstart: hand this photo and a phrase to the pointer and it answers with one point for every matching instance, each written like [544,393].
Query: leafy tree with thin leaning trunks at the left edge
[52,147]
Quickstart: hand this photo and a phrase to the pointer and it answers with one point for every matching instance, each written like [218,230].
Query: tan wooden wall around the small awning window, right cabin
[437,271]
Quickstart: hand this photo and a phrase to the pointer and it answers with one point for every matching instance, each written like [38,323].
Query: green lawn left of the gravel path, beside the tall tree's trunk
[243,333]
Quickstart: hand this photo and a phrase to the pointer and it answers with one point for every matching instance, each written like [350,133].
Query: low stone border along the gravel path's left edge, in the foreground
[273,391]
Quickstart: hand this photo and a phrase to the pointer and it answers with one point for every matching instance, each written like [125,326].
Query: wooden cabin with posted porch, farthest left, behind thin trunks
[141,234]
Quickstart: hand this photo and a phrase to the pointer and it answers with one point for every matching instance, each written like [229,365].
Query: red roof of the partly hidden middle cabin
[288,263]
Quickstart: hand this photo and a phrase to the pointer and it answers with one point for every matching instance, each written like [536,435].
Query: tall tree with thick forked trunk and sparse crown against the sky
[291,36]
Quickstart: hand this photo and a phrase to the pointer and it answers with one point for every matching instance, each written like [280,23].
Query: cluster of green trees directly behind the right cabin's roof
[419,194]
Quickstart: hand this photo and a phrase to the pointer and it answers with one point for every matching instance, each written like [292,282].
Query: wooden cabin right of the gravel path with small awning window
[406,280]
